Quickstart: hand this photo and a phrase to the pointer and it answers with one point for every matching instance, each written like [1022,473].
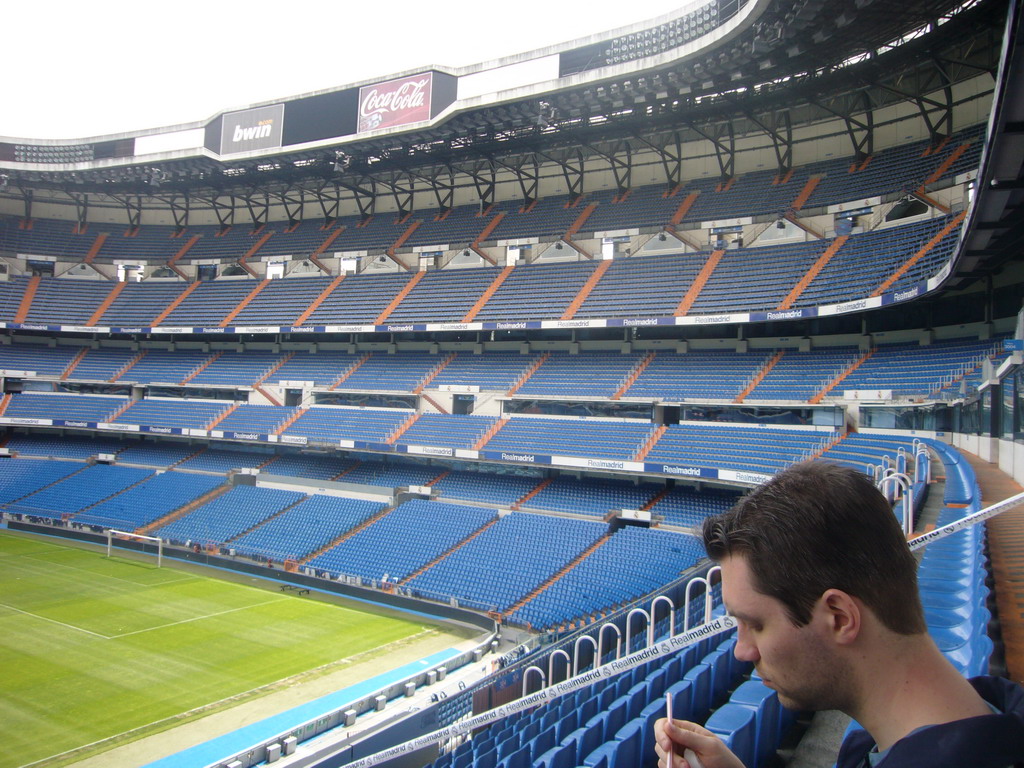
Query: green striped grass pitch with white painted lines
[93,648]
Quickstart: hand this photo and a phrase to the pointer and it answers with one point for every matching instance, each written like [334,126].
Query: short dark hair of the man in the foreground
[817,527]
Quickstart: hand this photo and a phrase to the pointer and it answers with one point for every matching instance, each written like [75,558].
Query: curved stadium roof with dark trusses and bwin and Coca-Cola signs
[715,70]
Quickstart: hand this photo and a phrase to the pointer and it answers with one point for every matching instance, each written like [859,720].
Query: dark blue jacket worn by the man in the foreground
[987,742]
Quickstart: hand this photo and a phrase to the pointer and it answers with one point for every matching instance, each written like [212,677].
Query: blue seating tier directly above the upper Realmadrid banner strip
[756,278]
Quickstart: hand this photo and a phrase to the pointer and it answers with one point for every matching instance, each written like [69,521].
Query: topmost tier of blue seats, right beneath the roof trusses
[891,172]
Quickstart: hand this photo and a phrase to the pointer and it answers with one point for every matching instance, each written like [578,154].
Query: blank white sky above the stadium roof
[75,70]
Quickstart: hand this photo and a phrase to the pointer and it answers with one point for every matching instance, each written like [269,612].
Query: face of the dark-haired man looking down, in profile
[797,662]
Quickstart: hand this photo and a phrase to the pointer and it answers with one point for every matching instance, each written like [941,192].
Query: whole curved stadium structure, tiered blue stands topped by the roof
[612,282]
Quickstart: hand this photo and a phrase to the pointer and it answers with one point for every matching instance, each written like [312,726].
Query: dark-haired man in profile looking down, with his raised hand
[819,576]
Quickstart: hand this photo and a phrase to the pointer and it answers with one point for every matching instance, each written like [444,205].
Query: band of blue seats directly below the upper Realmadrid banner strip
[699,374]
